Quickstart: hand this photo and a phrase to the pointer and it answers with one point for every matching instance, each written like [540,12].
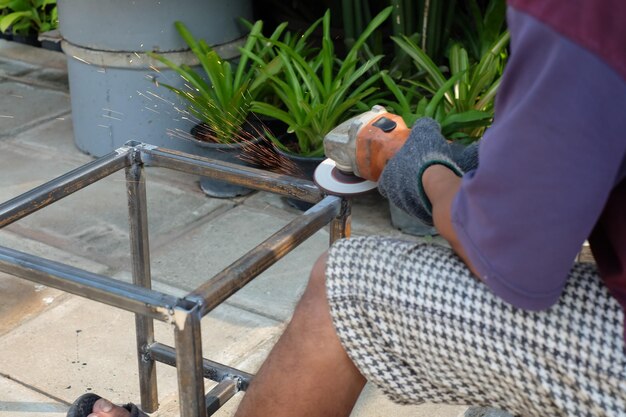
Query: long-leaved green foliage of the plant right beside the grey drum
[223,102]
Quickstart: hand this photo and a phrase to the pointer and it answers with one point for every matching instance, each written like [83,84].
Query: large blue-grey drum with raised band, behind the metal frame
[112,80]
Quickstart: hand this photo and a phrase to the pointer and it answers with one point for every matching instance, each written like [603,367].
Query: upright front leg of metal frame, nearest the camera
[189,364]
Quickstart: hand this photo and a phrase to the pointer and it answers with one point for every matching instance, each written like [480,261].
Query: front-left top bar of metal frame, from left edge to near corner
[86,284]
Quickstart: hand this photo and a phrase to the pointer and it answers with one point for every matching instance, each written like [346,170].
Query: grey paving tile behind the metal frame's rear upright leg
[94,221]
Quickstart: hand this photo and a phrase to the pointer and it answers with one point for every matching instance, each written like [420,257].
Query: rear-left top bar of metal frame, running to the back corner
[62,186]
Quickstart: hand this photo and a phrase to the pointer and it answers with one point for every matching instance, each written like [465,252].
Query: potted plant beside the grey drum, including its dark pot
[219,101]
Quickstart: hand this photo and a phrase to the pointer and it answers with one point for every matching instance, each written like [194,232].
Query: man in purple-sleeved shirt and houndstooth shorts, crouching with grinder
[505,318]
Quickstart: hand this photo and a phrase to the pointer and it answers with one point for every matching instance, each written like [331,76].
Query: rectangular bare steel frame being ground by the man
[183,313]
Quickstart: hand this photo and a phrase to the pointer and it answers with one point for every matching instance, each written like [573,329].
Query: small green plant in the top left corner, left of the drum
[28,16]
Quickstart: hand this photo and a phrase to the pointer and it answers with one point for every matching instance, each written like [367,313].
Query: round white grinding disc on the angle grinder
[334,182]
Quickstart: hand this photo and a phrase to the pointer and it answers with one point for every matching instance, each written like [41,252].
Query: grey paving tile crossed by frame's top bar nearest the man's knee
[196,256]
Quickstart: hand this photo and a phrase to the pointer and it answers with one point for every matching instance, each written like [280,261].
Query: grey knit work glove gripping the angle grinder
[401,179]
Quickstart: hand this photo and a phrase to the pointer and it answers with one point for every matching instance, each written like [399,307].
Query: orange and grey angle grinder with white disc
[358,150]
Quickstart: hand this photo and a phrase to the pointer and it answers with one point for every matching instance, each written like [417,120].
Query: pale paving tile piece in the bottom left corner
[16,400]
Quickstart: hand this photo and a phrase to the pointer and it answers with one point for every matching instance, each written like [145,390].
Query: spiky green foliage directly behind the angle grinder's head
[318,90]
